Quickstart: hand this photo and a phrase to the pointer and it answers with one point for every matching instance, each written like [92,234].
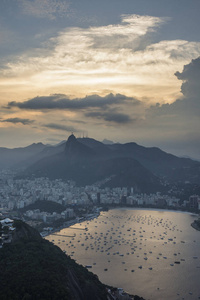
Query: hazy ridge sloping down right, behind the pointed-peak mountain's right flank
[160,163]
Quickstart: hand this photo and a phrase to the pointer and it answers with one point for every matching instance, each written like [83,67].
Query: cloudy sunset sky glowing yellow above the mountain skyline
[126,71]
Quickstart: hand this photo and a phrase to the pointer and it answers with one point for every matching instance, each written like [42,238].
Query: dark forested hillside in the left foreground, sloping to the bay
[33,268]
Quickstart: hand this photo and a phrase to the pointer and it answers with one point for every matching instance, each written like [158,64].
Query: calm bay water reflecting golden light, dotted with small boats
[154,254]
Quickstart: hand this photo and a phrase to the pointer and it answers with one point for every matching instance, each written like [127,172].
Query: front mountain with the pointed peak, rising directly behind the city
[87,161]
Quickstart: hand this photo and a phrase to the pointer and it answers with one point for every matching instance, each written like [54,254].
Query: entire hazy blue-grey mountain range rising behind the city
[87,161]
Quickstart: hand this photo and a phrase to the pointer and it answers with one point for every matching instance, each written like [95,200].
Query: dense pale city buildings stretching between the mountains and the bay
[18,194]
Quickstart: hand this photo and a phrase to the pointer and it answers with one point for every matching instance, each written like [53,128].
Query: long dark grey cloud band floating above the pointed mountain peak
[94,106]
